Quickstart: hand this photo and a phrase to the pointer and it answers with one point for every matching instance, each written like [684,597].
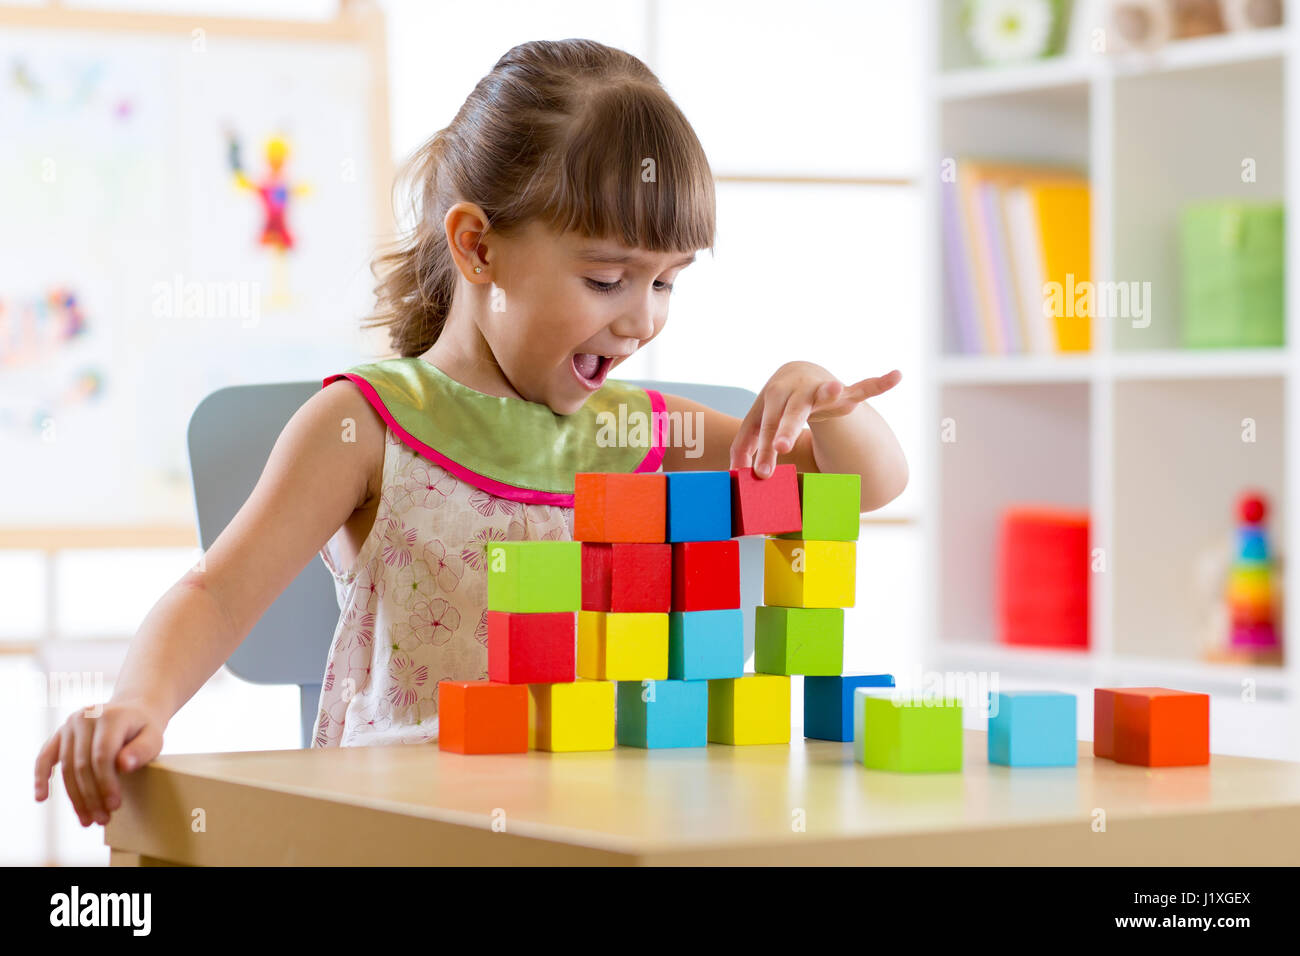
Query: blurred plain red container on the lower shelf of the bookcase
[1043,578]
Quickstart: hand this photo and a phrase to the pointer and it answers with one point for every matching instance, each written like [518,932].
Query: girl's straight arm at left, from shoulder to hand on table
[317,477]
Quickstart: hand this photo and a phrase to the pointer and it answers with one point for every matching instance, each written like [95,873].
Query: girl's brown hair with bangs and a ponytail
[558,132]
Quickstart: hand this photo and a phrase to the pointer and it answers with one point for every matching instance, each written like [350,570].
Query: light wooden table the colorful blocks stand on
[808,803]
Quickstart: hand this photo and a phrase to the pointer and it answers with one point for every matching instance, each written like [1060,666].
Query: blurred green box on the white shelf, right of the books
[1233,275]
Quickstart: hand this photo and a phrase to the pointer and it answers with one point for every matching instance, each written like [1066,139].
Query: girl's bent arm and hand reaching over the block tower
[844,435]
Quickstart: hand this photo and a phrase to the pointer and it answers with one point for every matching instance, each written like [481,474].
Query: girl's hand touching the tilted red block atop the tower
[798,393]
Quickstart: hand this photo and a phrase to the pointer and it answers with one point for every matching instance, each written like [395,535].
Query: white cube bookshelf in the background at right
[1143,435]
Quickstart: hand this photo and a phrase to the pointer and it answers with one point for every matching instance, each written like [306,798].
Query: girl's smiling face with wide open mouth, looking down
[566,310]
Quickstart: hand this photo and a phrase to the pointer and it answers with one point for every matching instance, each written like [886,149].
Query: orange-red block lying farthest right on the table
[1159,728]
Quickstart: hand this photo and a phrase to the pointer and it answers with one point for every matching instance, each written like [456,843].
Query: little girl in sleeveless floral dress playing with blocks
[553,215]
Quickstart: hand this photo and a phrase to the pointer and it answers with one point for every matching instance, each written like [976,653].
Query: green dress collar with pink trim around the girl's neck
[512,448]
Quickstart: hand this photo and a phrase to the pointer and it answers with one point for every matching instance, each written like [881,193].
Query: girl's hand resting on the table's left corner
[123,737]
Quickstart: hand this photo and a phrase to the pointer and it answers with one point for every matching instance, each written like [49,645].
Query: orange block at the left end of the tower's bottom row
[483,717]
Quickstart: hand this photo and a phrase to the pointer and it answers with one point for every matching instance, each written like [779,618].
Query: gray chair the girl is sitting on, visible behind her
[231,438]
